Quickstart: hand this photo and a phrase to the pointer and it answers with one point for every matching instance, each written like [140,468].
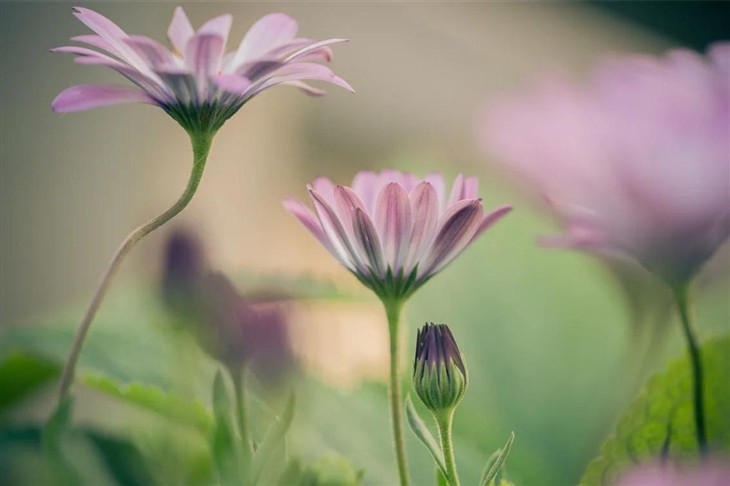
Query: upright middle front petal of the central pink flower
[394,222]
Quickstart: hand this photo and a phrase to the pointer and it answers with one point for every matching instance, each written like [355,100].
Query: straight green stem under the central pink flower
[393,310]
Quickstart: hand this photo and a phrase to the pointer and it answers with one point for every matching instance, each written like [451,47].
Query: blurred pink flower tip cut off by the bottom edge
[706,474]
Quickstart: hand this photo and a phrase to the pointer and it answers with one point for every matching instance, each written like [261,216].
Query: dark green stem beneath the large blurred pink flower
[681,295]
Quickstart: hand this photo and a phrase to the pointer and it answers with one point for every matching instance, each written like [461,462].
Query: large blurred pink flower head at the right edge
[636,163]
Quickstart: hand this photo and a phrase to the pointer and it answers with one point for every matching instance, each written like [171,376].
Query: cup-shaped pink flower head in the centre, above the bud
[393,231]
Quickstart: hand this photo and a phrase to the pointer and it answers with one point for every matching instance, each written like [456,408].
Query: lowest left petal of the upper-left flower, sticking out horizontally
[87,96]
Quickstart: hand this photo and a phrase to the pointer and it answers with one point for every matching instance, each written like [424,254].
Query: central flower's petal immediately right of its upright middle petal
[425,205]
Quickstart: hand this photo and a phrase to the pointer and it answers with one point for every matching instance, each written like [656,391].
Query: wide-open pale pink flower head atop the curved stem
[196,83]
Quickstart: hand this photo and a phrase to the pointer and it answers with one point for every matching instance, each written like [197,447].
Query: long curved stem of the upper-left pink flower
[201,142]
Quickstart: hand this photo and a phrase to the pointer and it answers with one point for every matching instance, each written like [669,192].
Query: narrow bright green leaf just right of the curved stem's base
[185,411]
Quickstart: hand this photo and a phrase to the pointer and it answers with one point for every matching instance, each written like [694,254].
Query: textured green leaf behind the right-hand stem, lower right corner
[660,422]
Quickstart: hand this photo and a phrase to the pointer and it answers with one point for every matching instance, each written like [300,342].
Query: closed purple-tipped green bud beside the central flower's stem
[439,373]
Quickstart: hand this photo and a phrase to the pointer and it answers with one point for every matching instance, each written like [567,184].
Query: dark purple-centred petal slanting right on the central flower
[456,229]
